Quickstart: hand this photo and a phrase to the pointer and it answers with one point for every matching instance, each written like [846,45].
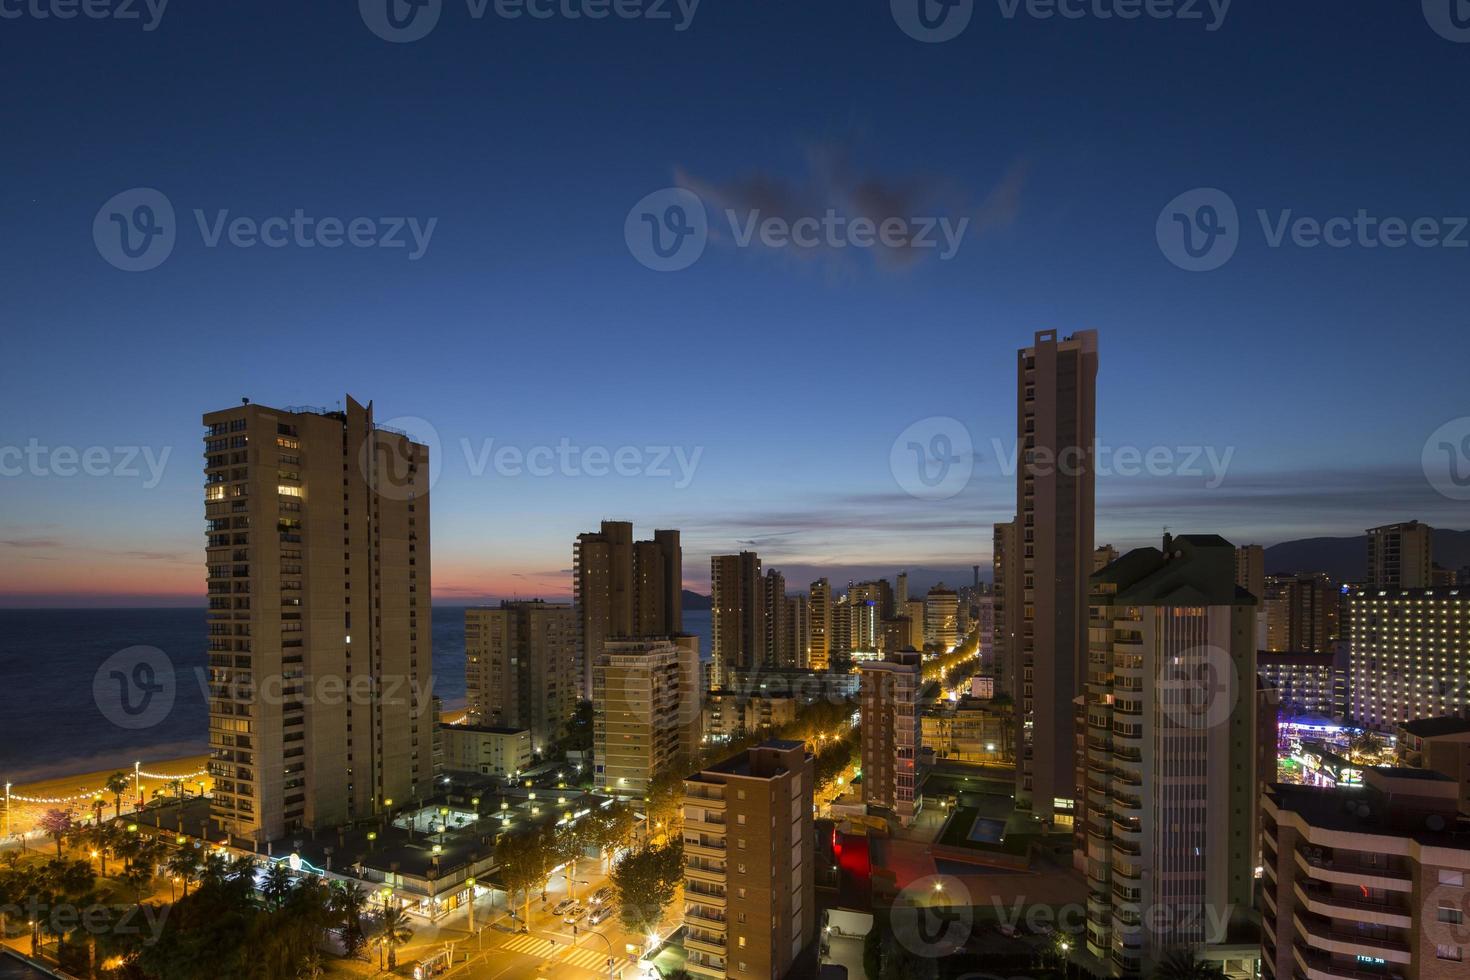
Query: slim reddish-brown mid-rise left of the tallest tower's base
[892,732]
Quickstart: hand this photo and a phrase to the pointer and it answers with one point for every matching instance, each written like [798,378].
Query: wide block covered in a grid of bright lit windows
[1408,656]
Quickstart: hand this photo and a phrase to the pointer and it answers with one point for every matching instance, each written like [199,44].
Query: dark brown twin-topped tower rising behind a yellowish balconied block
[625,590]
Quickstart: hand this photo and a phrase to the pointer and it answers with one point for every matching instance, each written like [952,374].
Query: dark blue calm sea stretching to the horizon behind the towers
[51,724]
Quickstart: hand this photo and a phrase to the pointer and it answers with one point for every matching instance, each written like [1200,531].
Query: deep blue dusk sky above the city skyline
[528,321]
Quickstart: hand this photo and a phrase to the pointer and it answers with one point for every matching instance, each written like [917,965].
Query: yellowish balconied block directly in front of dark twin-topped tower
[648,710]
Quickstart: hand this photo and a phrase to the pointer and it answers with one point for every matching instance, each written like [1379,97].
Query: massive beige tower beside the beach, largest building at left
[318,556]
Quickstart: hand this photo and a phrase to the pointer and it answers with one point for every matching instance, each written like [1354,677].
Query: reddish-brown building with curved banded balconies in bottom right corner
[1365,881]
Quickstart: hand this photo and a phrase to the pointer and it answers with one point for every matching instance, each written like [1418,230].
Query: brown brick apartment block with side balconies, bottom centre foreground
[749,863]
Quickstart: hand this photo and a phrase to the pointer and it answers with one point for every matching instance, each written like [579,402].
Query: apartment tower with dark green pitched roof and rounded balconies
[1169,790]
